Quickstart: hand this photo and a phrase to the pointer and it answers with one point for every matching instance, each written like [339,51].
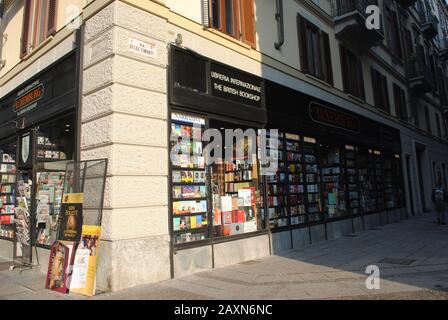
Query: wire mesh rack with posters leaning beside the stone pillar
[73,257]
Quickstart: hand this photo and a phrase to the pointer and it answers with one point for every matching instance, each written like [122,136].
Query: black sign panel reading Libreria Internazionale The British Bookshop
[237,86]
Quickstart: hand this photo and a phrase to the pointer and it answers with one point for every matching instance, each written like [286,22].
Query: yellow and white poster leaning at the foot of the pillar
[85,264]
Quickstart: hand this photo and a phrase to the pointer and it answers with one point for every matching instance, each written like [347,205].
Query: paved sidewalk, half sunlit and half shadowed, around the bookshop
[416,267]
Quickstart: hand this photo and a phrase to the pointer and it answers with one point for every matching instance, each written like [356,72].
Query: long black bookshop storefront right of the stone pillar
[337,172]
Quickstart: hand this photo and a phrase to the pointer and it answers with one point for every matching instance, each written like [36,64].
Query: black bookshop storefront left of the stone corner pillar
[37,136]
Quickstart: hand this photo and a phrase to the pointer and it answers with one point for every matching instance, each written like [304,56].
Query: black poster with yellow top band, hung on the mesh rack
[71,217]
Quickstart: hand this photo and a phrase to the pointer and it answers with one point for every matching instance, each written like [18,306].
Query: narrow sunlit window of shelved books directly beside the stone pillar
[189,185]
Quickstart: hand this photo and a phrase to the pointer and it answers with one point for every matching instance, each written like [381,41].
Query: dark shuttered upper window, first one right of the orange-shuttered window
[315,55]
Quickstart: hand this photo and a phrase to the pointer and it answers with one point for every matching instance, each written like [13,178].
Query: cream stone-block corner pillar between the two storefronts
[124,119]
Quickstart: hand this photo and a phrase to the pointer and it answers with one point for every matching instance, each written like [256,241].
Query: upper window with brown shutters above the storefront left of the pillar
[39,23]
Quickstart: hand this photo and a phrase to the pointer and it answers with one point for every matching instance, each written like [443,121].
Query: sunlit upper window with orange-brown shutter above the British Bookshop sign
[235,18]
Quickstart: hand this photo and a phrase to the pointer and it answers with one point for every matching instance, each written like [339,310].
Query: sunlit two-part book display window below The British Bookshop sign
[223,197]
